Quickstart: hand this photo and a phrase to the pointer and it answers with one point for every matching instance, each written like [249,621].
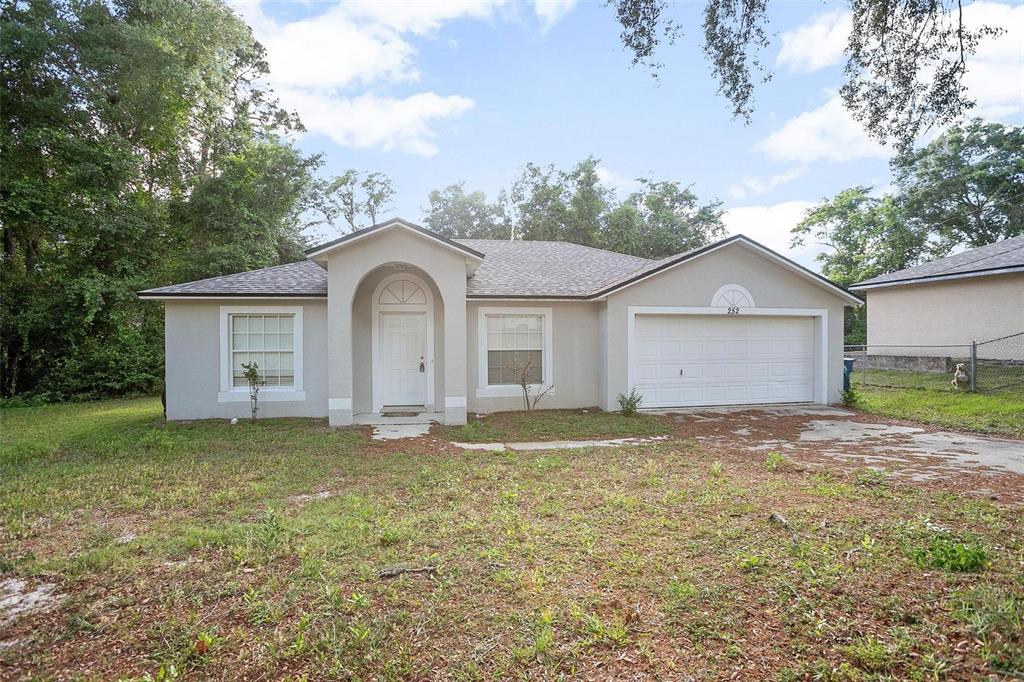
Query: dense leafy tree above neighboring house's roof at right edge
[967,187]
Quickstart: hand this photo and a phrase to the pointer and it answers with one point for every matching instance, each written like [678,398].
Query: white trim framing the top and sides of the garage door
[822,330]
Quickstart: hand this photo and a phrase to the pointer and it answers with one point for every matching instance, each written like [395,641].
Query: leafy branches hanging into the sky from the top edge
[906,60]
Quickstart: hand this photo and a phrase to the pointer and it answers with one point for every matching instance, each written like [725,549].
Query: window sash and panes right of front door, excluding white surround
[516,345]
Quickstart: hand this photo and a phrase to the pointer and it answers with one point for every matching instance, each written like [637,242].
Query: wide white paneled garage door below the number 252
[680,361]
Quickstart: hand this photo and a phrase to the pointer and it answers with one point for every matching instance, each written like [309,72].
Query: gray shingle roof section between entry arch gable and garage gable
[545,269]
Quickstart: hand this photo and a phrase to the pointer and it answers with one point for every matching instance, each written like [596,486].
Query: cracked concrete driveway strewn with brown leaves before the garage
[834,438]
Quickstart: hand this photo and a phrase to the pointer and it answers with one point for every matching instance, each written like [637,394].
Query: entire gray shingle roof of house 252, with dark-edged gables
[522,270]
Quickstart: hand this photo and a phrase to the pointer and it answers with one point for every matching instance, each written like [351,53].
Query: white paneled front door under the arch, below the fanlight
[404,358]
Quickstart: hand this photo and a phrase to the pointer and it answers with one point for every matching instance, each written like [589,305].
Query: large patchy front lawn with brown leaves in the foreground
[190,547]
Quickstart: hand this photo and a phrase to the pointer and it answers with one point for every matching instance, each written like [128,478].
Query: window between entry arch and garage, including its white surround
[515,344]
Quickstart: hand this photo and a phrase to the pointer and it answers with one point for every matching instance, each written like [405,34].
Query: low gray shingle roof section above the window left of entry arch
[301,279]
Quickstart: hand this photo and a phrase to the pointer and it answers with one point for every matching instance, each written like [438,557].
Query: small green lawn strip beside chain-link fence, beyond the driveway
[928,398]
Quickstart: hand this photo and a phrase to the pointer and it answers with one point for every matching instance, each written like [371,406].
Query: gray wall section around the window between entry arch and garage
[576,362]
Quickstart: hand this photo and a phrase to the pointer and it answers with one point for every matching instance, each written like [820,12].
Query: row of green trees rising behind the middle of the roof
[658,220]
